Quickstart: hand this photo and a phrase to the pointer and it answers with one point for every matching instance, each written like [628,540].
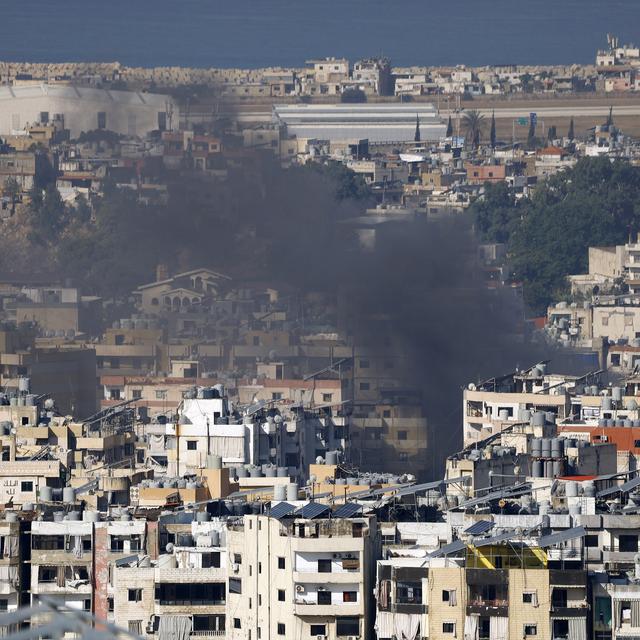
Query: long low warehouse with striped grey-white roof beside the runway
[376,122]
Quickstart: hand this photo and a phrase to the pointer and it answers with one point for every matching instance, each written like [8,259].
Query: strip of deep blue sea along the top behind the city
[254,33]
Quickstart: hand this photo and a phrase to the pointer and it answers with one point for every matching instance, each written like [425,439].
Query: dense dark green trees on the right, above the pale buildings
[596,203]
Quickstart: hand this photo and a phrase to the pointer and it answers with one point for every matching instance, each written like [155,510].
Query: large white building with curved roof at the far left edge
[85,109]
